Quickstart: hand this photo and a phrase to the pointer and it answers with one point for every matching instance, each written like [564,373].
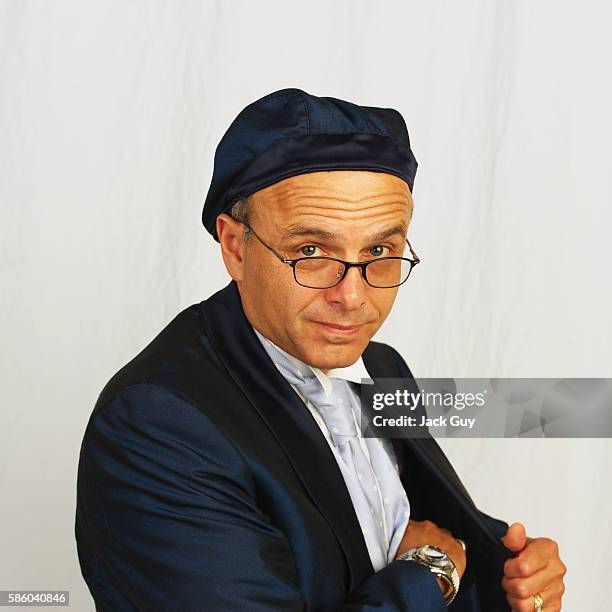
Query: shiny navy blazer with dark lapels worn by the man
[205,484]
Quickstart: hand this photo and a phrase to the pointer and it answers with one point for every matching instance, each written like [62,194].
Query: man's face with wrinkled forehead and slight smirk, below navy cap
[293,217]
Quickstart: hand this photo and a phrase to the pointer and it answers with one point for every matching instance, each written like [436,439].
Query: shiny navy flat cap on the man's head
[290,132]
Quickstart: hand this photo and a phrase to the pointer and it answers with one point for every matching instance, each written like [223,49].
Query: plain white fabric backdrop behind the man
[109,116]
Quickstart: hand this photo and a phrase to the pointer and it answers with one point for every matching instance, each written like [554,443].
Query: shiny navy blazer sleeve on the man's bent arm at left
[166,520]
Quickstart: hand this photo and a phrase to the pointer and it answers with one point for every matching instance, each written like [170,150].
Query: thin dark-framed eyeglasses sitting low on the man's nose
[321,272]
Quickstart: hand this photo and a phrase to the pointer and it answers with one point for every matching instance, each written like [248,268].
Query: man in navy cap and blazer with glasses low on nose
[223,469]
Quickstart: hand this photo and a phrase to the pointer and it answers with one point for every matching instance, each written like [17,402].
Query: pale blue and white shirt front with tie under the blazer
[368,465]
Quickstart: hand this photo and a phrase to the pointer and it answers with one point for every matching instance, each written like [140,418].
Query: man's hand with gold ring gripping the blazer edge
[537,569]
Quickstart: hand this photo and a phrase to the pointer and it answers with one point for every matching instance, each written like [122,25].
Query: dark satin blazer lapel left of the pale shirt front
[289,421]
